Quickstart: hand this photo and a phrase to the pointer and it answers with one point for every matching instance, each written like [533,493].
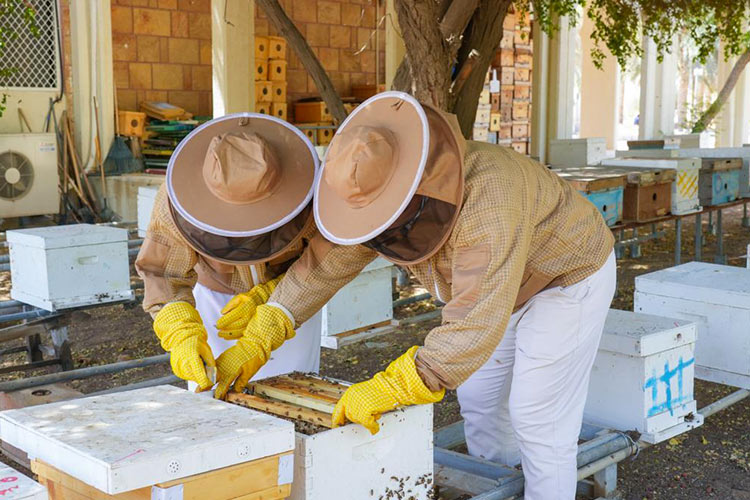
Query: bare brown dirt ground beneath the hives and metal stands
[710,462]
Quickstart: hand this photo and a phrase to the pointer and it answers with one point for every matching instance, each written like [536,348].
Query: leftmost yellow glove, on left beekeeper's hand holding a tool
[181,332]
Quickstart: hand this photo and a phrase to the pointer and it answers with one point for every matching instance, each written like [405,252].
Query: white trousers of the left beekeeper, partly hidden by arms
[300,353]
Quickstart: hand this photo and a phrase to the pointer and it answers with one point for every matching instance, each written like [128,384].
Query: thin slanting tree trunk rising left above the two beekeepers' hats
[289,31]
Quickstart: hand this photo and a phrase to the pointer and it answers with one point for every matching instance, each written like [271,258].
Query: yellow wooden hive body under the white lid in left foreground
[256,480]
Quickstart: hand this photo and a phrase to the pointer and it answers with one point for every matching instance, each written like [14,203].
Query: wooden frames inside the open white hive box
[301,397]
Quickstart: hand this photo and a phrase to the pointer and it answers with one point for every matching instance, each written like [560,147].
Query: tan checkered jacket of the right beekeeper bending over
[521,230]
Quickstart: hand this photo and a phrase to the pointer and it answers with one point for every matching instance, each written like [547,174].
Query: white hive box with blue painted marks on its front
[643,375]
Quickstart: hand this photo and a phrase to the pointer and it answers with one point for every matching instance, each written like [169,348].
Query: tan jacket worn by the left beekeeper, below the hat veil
[170,267]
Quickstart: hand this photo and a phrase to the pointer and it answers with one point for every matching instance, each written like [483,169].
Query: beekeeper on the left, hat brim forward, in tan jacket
[234,213]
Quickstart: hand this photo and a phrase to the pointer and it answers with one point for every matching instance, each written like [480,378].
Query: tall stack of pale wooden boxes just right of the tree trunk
[504,111]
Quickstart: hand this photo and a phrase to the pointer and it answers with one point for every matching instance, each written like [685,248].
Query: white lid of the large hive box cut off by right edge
[700,281]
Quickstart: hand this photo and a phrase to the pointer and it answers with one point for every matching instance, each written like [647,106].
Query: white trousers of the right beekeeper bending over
[526,403]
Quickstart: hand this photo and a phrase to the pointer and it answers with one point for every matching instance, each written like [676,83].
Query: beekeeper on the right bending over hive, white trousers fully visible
[524,265]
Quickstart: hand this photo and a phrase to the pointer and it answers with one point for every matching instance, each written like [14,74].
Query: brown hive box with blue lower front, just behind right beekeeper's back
[605,190]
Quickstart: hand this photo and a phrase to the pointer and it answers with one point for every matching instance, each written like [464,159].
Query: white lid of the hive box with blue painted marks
[636,334]
